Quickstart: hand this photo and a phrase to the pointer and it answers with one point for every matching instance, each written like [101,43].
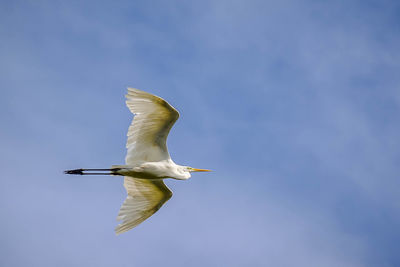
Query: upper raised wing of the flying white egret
[147,135]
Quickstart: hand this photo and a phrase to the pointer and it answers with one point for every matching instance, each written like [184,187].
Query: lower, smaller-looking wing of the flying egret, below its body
[145,197]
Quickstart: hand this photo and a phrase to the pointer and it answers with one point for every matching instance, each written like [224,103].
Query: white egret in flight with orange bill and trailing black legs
[147,160]
